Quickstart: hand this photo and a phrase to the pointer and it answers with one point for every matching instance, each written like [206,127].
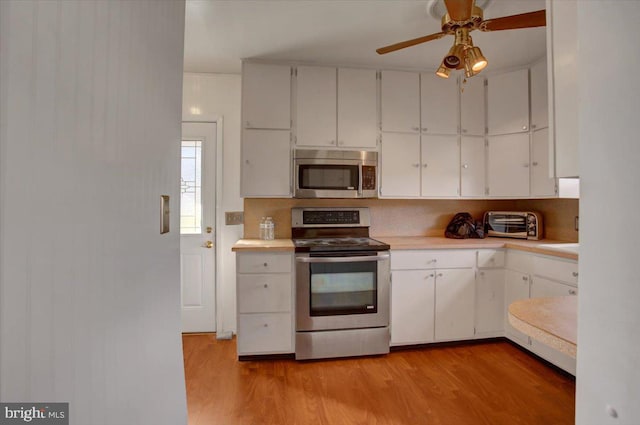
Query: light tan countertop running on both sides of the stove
[425,242]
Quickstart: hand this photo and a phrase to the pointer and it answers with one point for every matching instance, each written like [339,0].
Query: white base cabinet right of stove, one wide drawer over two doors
[446,287]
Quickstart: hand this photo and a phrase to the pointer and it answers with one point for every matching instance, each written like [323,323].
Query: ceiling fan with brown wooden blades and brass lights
[462,17]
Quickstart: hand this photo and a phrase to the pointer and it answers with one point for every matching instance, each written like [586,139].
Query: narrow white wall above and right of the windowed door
[207,97]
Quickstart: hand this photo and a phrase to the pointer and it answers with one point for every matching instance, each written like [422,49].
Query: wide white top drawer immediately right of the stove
[431,259]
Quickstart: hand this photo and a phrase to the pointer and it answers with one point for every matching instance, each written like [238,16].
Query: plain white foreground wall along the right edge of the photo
[609,303]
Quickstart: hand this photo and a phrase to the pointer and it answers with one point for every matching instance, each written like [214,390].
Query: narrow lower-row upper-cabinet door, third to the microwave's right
[472,163]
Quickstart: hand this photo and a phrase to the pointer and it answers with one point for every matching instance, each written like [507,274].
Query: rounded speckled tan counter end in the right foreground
[552,321]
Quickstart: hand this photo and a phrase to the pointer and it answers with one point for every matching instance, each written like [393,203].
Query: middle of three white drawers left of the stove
[264,293]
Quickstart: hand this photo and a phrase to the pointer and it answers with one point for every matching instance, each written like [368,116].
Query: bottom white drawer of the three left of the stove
[265,333]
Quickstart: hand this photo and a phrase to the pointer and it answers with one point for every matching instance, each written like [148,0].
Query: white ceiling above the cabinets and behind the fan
[220,33]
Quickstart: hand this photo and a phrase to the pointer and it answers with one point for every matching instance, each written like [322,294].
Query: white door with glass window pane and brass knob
[197,232]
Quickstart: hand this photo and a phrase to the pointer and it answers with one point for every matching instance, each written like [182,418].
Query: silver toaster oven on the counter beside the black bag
[513,224]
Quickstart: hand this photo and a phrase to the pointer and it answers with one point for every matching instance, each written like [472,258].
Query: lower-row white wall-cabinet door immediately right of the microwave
[400,165]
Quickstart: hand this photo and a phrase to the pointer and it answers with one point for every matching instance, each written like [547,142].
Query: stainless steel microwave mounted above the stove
[335,174]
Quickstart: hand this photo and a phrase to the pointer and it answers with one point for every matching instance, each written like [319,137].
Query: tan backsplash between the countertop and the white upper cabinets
[419,217]
